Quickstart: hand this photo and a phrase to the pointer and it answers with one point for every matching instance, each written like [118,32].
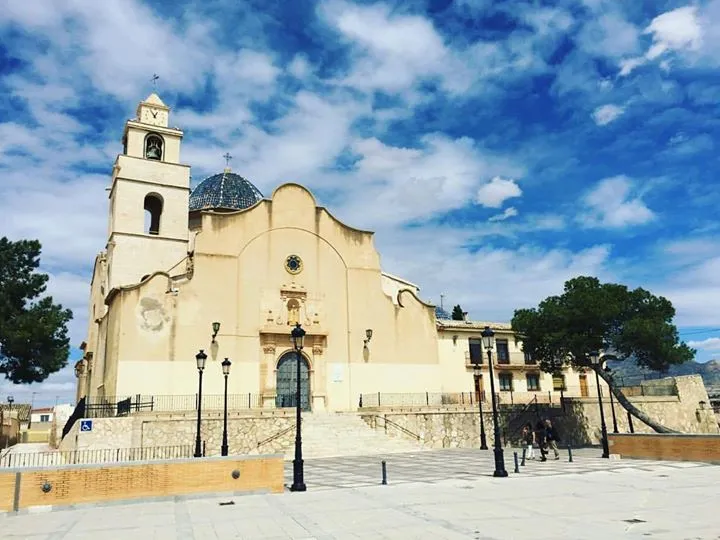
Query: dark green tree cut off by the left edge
[33,331]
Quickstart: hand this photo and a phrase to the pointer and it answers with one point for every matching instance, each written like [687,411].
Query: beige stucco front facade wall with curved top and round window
[239,279]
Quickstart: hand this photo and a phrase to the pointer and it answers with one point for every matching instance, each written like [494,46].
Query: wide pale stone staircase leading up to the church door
[346,434]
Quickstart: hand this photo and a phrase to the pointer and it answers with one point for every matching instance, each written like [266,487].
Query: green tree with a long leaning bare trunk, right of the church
[593,316]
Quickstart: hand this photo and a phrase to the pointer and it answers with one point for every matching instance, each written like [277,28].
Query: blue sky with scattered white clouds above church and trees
[497,148]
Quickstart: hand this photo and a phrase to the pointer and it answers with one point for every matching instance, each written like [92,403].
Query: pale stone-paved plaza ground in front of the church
[443,494]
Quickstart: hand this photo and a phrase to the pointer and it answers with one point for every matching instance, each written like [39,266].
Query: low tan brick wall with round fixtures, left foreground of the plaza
[73,484]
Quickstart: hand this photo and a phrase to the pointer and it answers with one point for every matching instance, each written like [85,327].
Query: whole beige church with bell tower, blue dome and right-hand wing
[230,271]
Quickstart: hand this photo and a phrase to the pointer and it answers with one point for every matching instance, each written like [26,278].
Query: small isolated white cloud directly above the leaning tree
[611,205]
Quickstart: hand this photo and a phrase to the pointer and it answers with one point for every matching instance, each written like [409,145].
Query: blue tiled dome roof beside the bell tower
[224,191]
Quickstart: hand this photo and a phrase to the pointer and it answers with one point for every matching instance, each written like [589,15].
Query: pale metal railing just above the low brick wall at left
[90,456]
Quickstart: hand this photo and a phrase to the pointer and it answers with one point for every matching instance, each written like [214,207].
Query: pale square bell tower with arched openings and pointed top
[148,222]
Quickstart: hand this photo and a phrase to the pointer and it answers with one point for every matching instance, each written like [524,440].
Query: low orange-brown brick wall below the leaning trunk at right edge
[666,446]
